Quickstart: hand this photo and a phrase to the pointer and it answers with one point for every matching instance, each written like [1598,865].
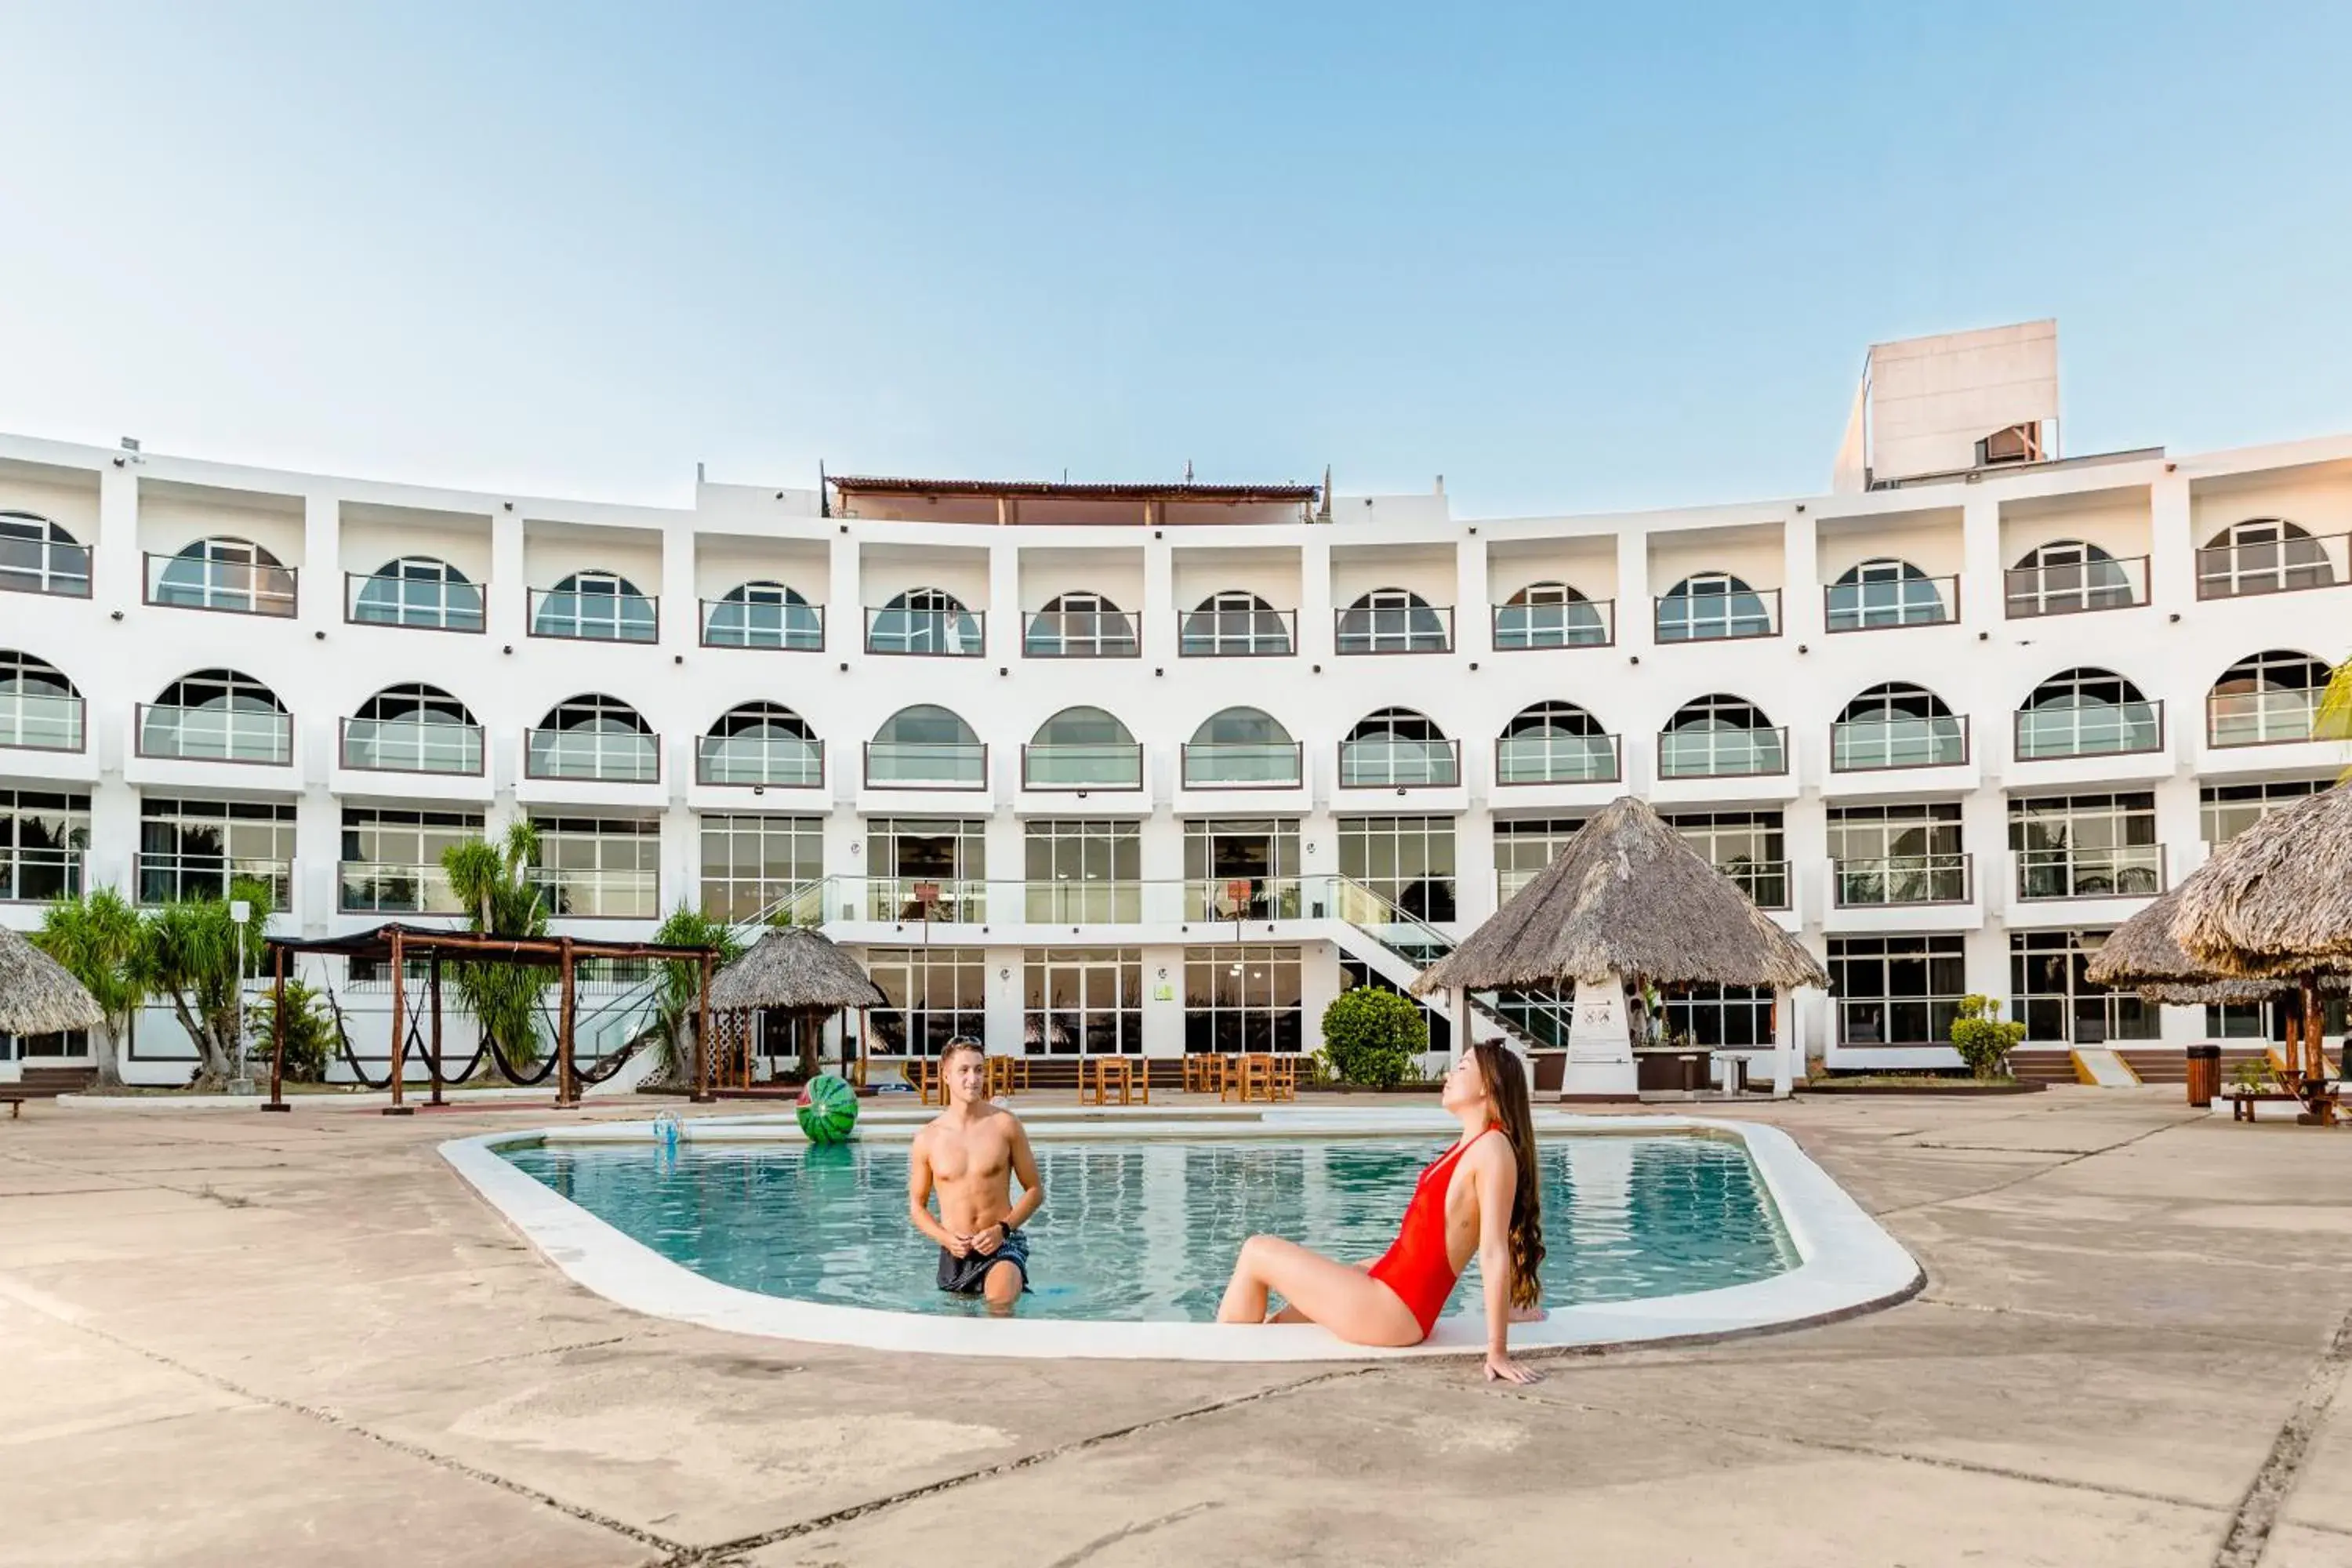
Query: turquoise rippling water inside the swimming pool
[1149,1231]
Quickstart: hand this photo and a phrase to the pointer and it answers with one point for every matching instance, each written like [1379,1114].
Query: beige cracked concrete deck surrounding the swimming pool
[255,1341]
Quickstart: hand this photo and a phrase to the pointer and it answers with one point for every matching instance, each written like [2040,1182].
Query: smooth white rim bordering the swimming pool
[1847,1266]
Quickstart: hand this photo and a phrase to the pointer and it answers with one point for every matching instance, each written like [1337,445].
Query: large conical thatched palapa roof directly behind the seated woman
[1626,897]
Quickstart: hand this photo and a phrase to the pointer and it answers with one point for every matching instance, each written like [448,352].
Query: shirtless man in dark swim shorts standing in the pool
[970,1153]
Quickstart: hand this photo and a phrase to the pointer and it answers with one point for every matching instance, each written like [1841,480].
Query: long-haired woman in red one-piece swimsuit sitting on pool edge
[1478,1198]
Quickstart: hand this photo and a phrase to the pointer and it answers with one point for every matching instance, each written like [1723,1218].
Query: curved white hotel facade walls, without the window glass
[853,554]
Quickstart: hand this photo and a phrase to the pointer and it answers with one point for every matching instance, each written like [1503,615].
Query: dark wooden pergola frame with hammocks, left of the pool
[396,946]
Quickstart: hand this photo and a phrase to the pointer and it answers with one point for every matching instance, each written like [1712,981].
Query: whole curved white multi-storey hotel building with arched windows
[1161,768]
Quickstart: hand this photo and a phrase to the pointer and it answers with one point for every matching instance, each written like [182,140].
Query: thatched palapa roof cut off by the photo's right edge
[2278,899]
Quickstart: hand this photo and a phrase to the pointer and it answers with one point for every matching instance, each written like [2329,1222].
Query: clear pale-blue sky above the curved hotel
[1570,257]
